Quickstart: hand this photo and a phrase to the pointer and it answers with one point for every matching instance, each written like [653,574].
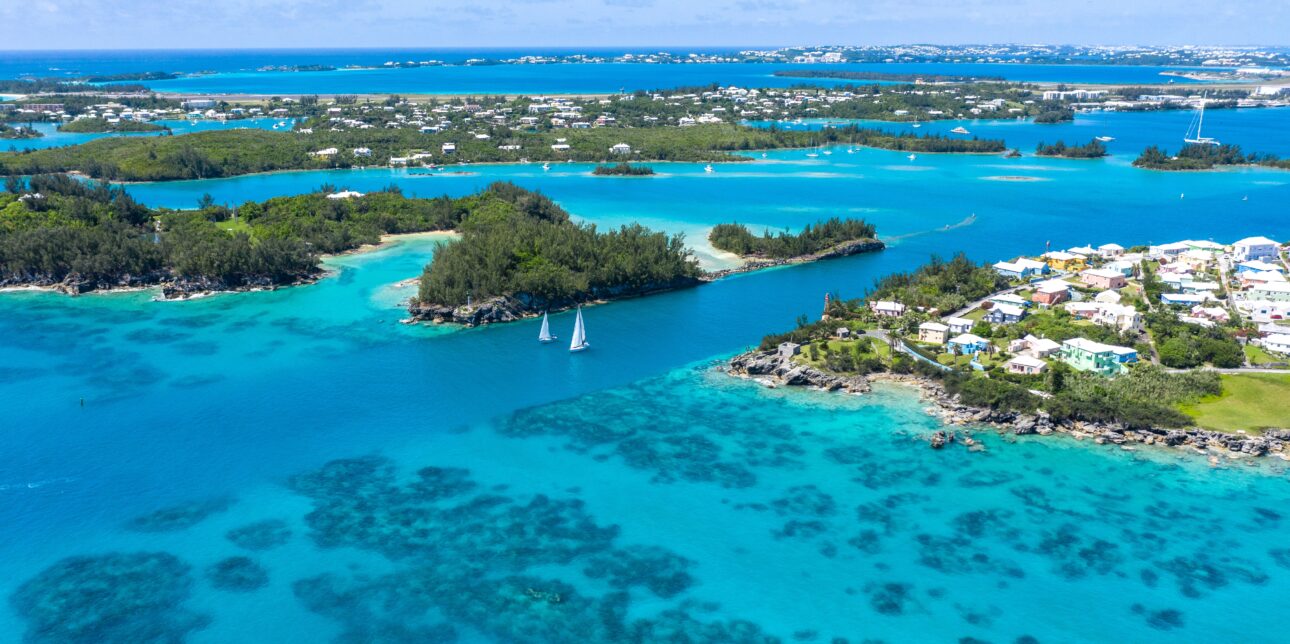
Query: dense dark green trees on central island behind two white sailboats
[521,245]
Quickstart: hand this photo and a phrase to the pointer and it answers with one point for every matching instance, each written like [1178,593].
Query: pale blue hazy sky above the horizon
[432,24]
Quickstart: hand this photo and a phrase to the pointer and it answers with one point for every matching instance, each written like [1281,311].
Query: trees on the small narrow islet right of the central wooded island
[736,238]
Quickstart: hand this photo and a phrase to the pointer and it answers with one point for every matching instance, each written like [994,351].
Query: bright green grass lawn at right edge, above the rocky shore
[1251,402]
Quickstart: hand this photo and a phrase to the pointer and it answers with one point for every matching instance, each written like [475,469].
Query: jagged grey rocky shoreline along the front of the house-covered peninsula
[773,370]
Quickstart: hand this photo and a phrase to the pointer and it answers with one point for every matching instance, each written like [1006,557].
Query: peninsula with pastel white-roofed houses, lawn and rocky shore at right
[1089,343]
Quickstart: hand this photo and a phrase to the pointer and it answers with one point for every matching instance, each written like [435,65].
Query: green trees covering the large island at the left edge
[78,237]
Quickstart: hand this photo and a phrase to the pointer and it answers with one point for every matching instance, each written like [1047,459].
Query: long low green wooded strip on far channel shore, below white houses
[244,152]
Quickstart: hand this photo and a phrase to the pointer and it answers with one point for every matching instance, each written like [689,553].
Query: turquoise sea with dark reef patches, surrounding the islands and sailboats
[395,483]
